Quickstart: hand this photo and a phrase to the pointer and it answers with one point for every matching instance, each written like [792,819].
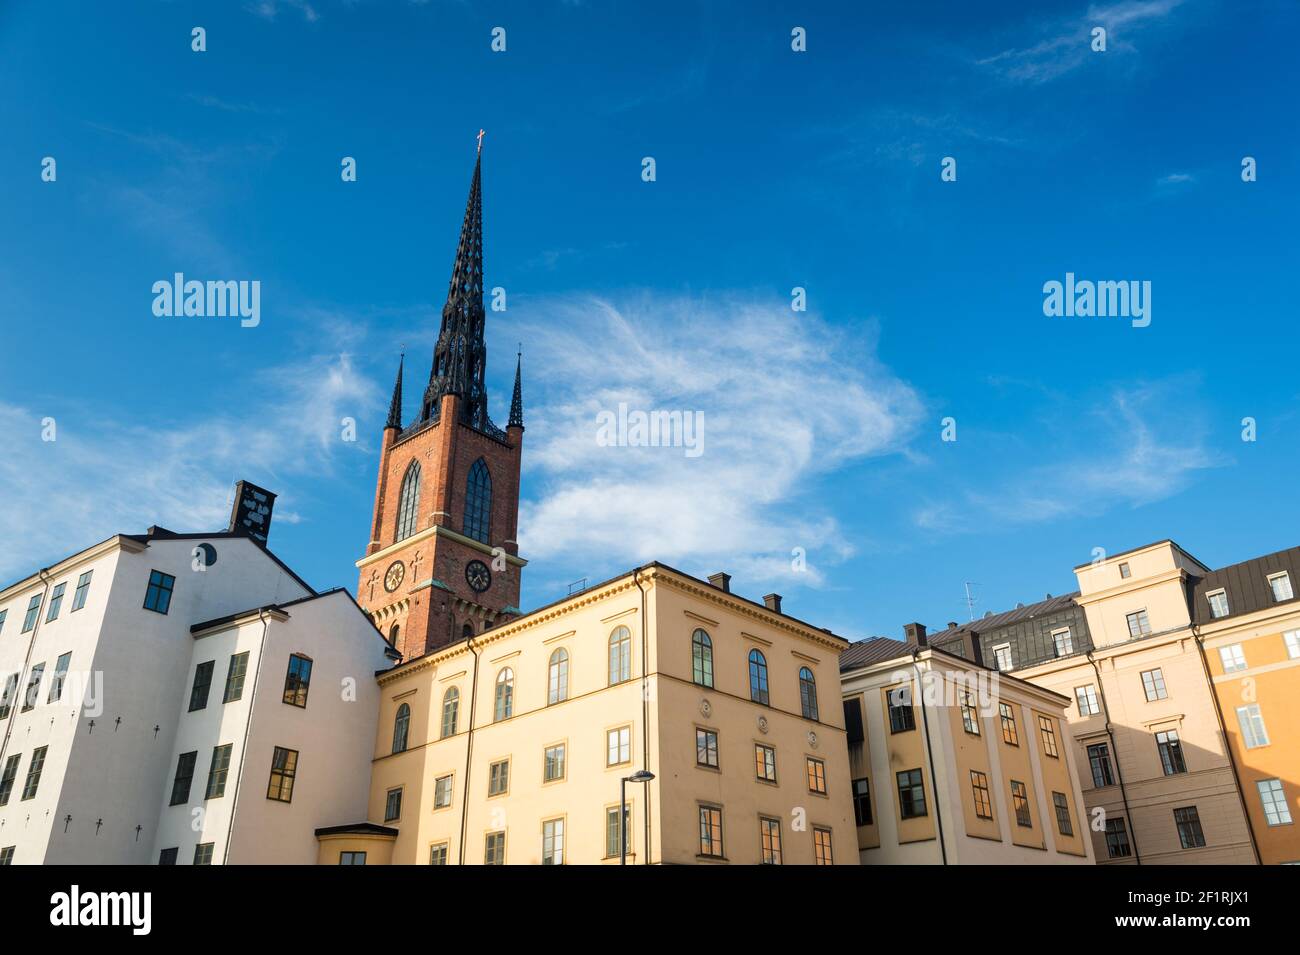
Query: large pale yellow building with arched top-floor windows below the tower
[517,745]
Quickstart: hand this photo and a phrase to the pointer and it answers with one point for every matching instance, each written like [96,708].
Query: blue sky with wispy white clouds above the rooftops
[774,170]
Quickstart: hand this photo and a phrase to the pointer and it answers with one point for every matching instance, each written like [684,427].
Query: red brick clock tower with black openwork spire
[443,562]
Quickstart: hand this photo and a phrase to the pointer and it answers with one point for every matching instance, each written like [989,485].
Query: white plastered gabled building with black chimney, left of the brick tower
[98,665]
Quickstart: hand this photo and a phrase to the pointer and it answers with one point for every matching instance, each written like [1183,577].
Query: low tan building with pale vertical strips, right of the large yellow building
[954,763]
